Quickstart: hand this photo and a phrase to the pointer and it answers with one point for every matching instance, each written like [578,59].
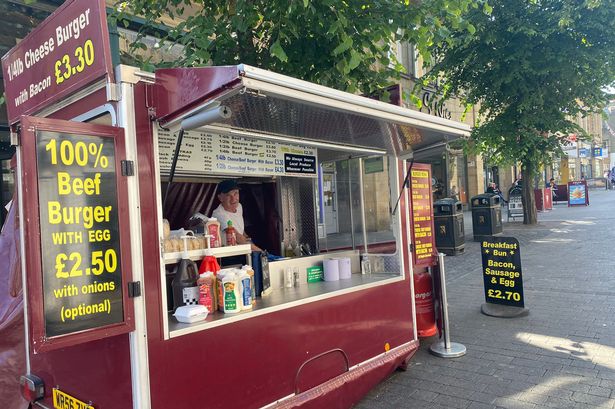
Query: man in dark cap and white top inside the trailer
[230,209]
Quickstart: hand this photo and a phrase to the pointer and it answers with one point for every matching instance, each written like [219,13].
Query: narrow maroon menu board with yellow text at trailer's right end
[424,253]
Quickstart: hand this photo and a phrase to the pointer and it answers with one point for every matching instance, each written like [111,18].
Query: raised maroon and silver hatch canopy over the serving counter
[270,104]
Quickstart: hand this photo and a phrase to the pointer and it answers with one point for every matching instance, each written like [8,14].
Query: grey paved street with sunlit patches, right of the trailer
[562,355]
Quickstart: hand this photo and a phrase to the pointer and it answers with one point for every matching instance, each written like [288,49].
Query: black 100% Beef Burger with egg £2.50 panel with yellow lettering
[79,232]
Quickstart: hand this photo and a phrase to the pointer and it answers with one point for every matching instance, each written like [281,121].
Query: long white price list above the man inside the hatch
[211,153]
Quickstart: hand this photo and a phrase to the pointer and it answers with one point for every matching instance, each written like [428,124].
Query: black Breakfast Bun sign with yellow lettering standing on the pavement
[502,277]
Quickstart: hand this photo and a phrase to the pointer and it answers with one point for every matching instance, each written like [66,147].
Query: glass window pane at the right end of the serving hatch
[354,205]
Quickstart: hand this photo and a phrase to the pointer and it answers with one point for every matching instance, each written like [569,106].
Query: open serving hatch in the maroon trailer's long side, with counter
[306,205]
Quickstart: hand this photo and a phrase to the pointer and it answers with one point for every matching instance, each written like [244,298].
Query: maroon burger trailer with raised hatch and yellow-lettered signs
[322,176]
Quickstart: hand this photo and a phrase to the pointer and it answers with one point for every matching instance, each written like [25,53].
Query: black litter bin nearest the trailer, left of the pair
[448,222]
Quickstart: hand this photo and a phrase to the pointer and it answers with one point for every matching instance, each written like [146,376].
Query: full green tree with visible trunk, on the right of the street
[532,65]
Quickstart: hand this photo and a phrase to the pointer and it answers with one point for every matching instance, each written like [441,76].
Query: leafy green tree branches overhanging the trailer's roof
[348,45]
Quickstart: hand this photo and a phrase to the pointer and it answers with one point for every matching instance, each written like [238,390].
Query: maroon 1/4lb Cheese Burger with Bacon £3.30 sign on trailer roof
[66,52]
